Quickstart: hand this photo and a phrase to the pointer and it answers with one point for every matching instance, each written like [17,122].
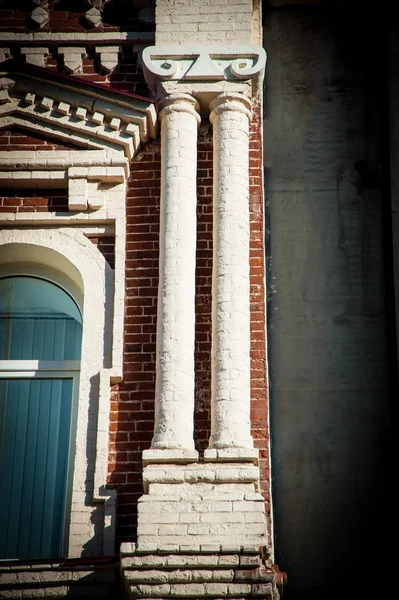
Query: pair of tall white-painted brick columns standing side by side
[174,402]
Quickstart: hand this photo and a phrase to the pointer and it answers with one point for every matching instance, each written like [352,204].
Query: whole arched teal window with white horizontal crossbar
[40,346]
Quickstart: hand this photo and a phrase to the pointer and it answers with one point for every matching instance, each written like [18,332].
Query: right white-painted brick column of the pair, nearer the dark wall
[230,117]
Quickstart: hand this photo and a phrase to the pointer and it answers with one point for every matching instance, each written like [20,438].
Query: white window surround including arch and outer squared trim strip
[59,250]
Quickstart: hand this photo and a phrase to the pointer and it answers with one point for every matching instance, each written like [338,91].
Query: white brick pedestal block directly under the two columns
[191,507]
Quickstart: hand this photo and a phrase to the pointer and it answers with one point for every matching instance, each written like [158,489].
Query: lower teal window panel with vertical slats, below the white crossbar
[34,457]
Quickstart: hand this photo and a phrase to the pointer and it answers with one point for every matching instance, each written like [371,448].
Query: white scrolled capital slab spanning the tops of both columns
[203,64]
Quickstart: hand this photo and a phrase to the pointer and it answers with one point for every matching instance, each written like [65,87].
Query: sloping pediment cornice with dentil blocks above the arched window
[93,117]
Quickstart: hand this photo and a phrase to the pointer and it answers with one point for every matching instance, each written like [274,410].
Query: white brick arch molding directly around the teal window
[75,259]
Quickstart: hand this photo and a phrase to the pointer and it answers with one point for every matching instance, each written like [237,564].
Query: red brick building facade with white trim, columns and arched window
[132,183]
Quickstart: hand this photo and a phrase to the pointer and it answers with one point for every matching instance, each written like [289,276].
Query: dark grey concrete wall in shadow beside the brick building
[327,321]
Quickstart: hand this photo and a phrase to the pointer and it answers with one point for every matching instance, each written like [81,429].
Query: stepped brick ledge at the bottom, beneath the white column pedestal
[236,573]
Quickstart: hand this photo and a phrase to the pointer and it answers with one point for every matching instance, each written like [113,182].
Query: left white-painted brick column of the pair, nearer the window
[174,400]
